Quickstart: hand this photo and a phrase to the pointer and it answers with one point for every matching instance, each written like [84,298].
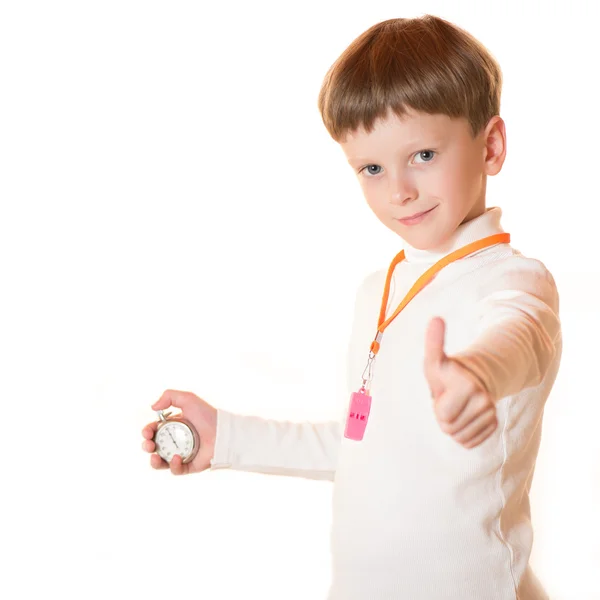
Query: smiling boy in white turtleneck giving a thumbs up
[431,482]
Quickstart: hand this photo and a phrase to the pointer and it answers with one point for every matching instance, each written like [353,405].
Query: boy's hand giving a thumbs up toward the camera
[462,405]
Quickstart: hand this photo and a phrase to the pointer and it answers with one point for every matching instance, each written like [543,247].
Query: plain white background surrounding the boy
[174,215]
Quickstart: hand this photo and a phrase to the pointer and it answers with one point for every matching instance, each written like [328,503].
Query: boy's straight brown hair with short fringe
[425,63]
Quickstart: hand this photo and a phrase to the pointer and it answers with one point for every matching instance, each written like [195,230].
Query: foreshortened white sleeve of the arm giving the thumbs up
[518,327]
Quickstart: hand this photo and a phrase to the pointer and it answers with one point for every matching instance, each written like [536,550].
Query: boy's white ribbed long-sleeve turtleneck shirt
[416,516]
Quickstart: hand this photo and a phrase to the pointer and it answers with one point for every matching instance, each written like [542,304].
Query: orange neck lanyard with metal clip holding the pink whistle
[498,238]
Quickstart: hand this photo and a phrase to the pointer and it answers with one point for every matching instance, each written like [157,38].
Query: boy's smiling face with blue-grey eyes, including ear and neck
[422,162]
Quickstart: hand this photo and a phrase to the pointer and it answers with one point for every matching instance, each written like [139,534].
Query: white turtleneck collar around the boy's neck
[486,224]
